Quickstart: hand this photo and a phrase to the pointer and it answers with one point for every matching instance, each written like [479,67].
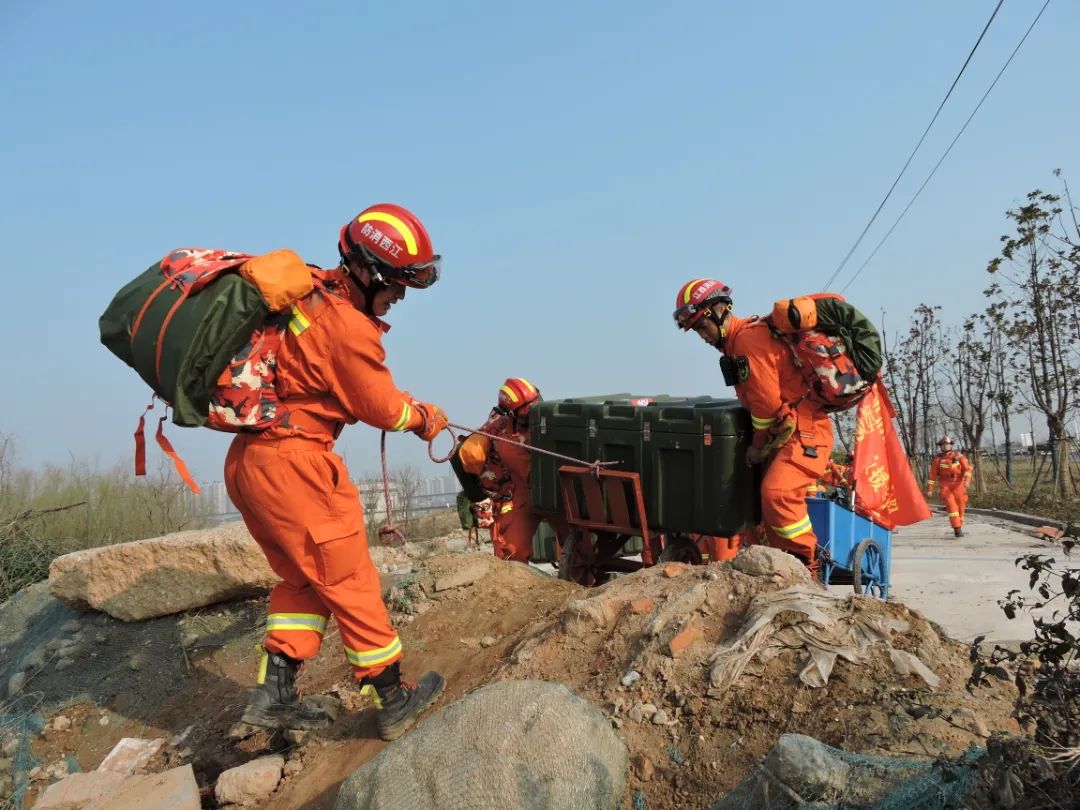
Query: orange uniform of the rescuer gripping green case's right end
[772,388]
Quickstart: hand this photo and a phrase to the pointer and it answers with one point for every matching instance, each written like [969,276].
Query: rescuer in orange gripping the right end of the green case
[792,435]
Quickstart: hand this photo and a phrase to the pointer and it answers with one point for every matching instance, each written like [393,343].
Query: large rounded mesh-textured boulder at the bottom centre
[507,733]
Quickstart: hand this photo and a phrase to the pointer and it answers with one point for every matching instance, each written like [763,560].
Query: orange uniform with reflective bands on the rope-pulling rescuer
[295,494]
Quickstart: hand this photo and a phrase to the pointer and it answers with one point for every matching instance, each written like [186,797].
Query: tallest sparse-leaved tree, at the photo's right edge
[1035,294]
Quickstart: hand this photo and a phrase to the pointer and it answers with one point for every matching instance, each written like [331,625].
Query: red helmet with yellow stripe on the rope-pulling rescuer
[393,244]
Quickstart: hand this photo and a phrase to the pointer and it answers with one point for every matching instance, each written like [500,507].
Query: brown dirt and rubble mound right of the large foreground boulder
[643,647]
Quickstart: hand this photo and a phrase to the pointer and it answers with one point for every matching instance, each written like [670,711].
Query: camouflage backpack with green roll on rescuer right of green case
[834,346]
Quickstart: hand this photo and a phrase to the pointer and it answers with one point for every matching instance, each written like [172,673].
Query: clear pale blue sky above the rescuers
[574,163]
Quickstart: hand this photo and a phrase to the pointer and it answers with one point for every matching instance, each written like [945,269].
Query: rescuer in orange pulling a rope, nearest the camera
[295,494]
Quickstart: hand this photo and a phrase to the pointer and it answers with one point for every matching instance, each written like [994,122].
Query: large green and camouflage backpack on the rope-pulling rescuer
[202,329]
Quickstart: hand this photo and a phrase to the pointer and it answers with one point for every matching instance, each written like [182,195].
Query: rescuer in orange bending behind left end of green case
[504,469]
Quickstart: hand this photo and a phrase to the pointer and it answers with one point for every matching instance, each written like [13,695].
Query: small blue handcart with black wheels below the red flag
[852,549]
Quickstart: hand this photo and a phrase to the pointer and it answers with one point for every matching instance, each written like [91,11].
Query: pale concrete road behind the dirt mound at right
[957,583]
